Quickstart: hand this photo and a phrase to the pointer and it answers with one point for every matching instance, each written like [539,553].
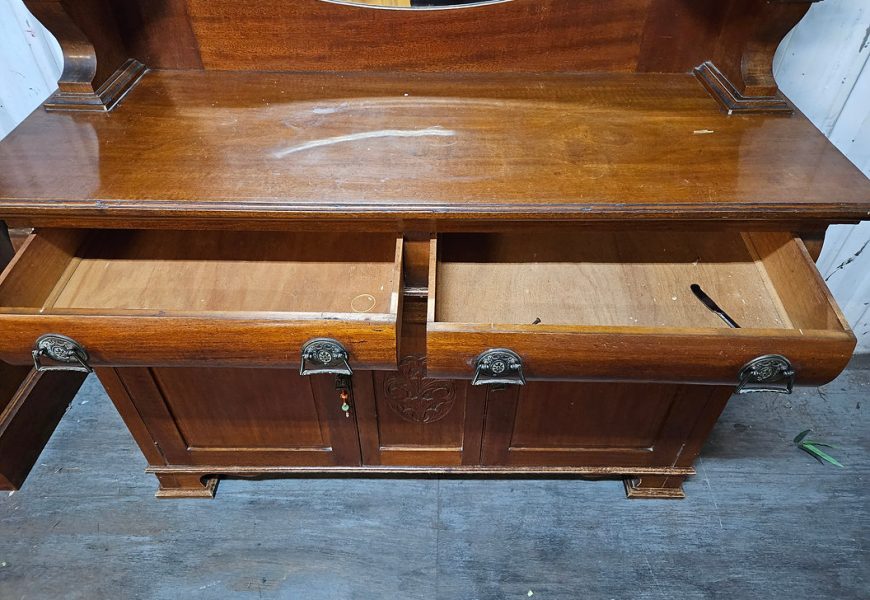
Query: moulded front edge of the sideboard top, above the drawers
[197,214]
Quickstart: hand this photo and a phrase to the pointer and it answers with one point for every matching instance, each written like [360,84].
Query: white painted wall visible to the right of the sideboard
[823,66]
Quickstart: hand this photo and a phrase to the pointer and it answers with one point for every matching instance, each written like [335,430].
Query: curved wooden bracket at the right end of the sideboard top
[740,76]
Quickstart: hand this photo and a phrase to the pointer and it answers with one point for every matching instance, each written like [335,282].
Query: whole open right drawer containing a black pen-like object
[618,306]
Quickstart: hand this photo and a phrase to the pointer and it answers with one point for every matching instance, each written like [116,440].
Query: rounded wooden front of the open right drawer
[609,355]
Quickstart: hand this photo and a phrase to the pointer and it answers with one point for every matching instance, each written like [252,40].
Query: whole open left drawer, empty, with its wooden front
[211,298]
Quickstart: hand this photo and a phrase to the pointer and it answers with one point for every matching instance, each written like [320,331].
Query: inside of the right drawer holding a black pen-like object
[629,279]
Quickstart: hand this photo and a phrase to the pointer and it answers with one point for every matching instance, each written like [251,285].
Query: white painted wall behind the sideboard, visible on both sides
[822,66]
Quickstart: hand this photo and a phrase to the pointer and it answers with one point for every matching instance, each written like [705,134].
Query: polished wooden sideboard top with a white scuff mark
[444,148]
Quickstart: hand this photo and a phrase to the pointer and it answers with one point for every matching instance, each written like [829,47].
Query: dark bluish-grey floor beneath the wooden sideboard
[762,520]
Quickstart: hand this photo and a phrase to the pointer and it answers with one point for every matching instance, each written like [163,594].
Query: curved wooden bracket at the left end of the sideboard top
[97,72]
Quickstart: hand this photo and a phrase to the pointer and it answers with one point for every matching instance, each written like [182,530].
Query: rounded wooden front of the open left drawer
[111,340]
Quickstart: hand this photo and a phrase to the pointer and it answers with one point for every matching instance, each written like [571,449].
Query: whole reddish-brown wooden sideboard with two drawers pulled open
[508,238]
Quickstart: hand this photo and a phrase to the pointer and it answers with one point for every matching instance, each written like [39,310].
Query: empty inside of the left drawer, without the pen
[204,271]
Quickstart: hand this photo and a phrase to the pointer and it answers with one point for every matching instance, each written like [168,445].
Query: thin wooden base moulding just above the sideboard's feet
[398,470]
